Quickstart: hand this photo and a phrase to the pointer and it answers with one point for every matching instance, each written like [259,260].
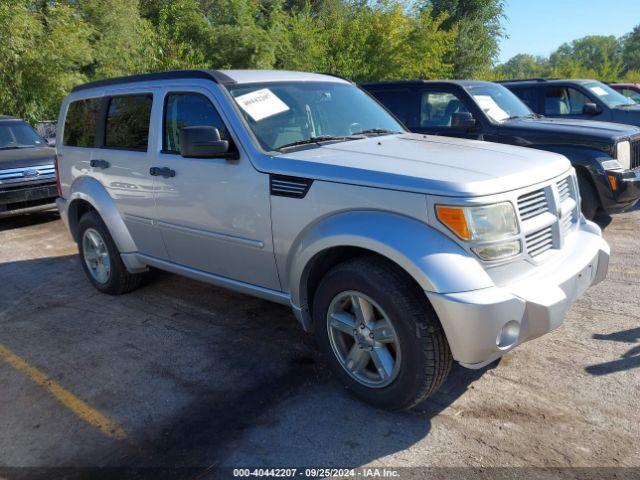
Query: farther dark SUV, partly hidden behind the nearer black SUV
[585,99]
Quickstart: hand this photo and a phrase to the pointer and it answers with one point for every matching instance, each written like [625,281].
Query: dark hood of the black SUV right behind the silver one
[575,128]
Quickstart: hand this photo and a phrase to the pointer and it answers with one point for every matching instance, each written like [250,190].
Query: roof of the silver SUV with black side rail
[225,77]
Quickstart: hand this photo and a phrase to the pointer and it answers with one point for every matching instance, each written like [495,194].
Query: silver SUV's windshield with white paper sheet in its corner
[287,114]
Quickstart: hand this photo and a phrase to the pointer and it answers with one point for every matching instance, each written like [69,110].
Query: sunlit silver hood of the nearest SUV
[425,164]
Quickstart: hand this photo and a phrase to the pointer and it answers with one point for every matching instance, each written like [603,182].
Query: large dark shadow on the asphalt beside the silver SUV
[198,377]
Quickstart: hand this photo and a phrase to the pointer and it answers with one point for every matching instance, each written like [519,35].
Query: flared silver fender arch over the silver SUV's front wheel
[432,260]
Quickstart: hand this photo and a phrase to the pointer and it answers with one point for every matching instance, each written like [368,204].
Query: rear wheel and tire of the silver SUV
[100,258]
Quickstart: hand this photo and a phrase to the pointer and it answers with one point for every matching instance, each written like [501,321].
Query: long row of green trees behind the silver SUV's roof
[48,46]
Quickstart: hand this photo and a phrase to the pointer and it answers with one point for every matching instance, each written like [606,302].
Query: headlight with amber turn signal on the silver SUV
[495,223]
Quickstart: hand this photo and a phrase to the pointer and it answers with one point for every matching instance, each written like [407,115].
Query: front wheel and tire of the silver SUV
[379,333]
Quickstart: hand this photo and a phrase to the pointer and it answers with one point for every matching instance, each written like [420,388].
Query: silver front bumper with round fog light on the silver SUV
[482,325]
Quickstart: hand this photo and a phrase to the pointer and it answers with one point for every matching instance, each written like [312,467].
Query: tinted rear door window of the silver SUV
[127,124]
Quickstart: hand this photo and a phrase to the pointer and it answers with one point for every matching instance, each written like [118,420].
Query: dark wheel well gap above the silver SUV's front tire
[325,260]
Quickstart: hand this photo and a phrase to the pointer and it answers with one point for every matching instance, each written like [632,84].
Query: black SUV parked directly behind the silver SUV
[602,153]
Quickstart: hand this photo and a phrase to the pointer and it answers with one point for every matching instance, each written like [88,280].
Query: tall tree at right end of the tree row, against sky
[479,31]
